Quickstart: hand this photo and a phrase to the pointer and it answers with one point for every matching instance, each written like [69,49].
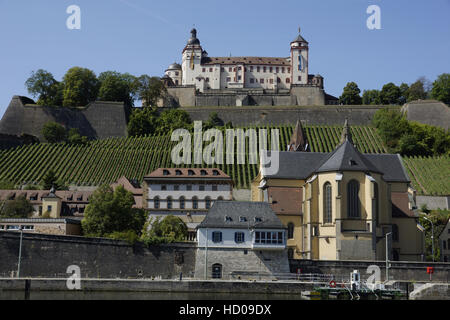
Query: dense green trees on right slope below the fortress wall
[410,138]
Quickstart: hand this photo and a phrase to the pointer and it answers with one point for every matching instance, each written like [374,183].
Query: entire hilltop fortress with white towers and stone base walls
[201,80]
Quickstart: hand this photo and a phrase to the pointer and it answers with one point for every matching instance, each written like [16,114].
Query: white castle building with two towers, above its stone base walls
[273,73]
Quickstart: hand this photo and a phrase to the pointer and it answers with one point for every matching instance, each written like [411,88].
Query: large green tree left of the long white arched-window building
[111,211]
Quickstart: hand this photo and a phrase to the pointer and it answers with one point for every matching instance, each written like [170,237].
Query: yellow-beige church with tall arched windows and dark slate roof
[343,205]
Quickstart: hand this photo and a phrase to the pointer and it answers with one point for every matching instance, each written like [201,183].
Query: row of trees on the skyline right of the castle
[391,94]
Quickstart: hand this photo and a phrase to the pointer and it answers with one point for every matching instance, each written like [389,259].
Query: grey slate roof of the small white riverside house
[216,216]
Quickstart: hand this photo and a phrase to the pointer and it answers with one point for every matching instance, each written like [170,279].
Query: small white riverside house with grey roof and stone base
[240,239]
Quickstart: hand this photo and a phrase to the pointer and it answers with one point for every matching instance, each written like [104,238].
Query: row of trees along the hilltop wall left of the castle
[79,86]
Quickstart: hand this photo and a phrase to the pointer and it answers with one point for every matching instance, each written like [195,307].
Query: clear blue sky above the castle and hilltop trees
[144,37]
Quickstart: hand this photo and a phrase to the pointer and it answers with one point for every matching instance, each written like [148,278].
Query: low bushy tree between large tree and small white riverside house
[169,229]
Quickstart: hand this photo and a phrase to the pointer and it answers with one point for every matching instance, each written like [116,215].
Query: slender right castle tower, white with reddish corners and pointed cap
[299,60]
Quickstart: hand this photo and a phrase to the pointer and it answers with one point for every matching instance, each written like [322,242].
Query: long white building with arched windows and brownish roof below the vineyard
[185,192]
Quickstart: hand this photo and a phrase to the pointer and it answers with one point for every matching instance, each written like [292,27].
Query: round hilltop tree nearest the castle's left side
[149,90]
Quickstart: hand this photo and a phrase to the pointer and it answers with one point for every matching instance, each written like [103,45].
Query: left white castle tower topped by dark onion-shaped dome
[192,56]
